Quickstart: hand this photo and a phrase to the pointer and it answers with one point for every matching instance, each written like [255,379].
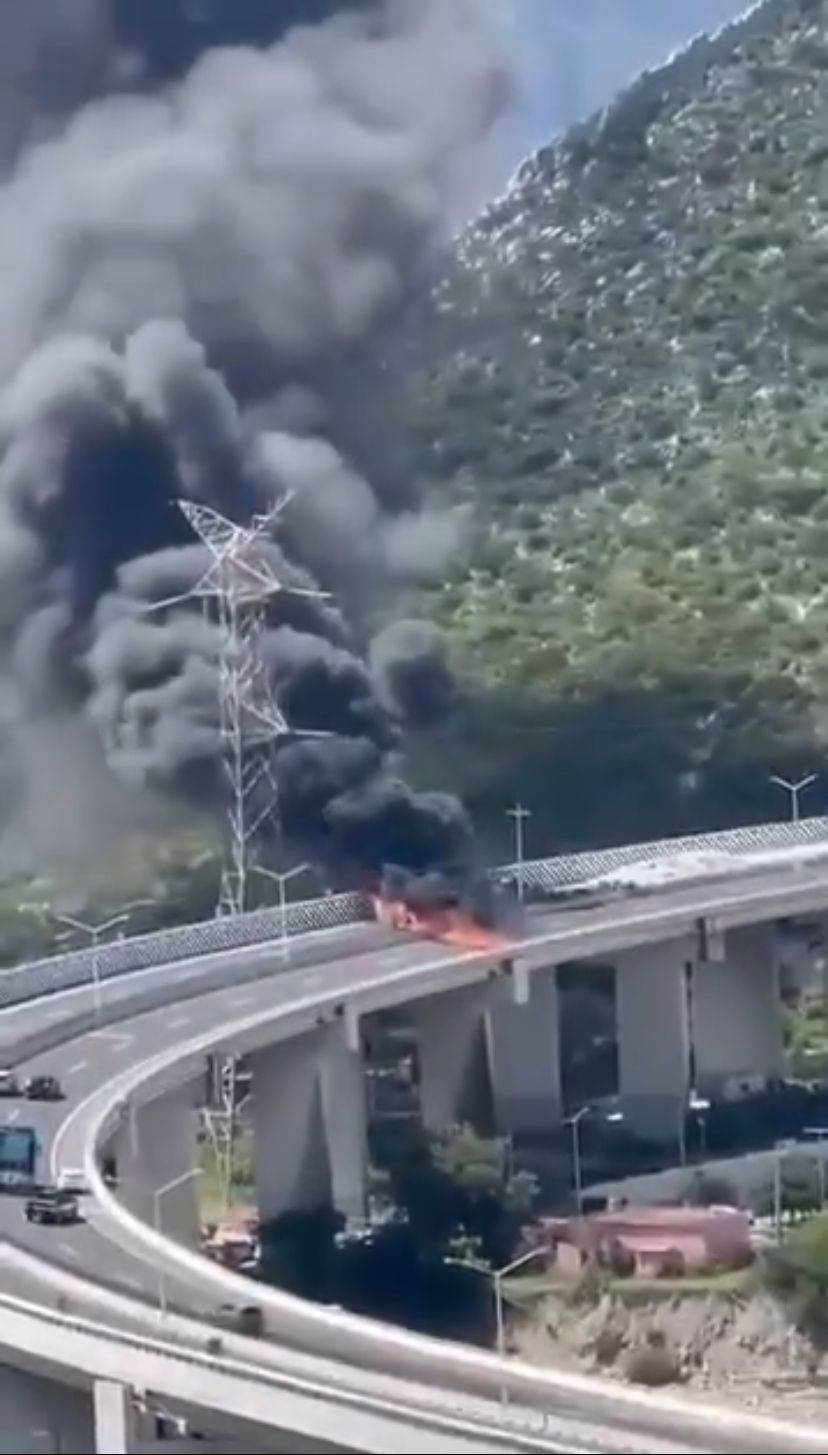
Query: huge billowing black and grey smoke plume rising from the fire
[202,270]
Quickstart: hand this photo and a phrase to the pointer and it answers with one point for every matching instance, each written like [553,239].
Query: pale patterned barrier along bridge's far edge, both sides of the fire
[542,878]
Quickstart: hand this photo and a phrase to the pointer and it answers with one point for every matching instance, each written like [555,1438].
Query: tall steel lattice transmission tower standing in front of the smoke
[242,584]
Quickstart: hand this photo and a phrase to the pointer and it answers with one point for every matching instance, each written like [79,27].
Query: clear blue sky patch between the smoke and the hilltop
[573,56]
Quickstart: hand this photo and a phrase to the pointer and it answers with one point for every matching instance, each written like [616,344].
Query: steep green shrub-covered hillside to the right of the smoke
[631,399]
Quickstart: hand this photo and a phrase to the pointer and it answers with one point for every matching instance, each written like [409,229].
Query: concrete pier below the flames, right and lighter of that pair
[526,1056]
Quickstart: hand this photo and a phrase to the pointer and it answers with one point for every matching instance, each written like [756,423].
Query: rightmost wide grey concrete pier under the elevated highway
[737,1012]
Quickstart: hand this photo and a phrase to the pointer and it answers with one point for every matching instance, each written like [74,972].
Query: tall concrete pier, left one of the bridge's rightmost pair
[654,1038]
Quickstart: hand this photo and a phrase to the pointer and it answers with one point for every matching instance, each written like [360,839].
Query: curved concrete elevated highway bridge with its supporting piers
[81,1306]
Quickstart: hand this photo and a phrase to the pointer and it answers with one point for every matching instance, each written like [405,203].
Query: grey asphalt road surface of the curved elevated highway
[103,1251]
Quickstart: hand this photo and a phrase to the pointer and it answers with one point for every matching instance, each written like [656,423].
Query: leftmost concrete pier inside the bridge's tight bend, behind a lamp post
[155,1150]
